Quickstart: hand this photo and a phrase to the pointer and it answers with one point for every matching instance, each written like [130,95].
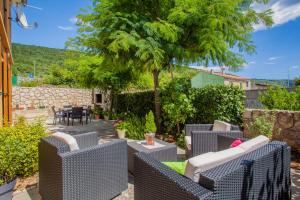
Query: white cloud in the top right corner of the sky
[284,11]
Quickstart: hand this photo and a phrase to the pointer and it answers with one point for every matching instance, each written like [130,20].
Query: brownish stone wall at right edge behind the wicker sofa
[286,127]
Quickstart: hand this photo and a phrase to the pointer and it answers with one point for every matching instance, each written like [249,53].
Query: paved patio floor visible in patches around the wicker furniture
[106,130]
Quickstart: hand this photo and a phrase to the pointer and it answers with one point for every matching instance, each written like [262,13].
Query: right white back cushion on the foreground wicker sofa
[254,143]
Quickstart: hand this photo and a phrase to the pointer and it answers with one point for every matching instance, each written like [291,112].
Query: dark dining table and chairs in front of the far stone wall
[80,113]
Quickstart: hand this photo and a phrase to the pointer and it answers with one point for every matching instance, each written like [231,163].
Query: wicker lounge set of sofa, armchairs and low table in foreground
[80,167]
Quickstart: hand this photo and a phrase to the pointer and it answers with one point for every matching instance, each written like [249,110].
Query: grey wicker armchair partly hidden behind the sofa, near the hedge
[204,139]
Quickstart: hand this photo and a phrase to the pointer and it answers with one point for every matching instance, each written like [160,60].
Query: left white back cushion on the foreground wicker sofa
[210,160]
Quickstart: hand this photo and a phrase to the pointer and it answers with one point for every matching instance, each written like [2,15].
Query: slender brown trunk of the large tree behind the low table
[157,100]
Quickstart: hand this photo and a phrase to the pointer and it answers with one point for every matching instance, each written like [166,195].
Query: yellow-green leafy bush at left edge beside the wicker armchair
[19,149]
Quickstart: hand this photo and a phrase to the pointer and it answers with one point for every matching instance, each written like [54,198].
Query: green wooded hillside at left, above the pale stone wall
[26,55]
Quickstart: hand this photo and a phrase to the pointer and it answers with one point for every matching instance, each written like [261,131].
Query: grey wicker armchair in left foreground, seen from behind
[95,172]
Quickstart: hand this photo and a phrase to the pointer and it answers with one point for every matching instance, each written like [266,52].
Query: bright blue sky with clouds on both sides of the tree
[278,48]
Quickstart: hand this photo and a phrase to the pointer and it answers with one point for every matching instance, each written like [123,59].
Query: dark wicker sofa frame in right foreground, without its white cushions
[261,174]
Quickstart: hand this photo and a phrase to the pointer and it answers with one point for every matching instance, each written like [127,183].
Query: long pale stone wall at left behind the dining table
[29,98]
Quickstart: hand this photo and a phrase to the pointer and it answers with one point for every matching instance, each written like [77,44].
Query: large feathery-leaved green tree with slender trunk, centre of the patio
[150,35]
